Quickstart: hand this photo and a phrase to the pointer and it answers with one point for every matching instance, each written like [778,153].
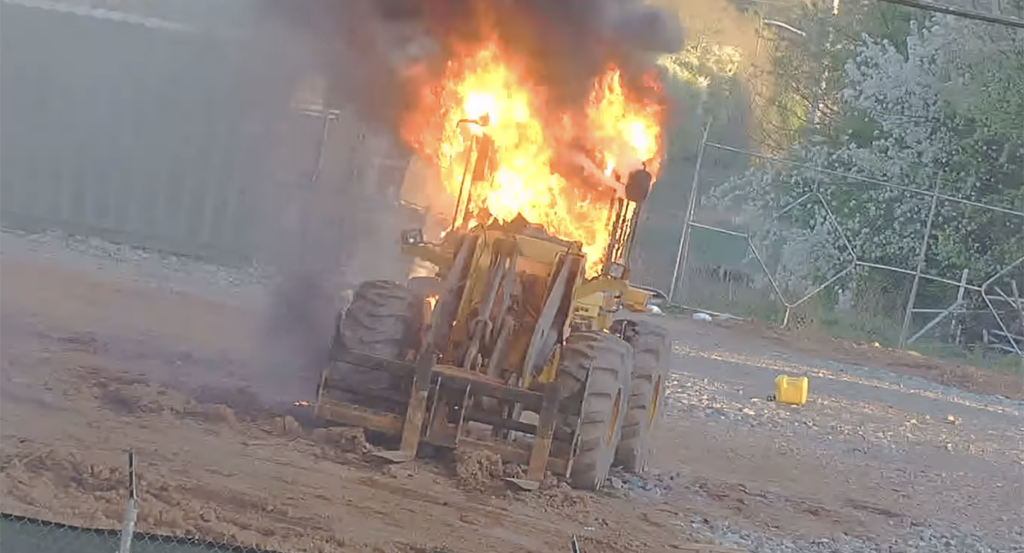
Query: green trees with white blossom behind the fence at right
[905,98]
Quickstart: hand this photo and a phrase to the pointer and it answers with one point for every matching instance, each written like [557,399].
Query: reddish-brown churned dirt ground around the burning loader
[94,366]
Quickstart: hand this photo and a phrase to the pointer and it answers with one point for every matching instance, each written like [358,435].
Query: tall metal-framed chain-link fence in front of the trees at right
[759,261]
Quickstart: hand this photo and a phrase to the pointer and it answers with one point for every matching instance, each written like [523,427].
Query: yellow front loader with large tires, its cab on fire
[509,326]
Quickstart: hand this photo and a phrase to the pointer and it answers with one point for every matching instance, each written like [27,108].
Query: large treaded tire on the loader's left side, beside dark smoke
[385,319]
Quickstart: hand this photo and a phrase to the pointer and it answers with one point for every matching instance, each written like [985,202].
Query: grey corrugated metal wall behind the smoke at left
[149,134]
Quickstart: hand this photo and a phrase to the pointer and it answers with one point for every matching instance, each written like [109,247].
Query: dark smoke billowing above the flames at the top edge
[565,44]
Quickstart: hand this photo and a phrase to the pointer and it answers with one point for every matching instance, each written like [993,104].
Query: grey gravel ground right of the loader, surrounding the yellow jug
[901,462]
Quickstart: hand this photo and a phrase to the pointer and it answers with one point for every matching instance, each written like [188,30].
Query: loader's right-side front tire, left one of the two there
[609,362]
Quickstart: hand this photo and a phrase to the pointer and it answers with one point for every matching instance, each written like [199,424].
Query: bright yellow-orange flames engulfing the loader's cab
[615,133]
